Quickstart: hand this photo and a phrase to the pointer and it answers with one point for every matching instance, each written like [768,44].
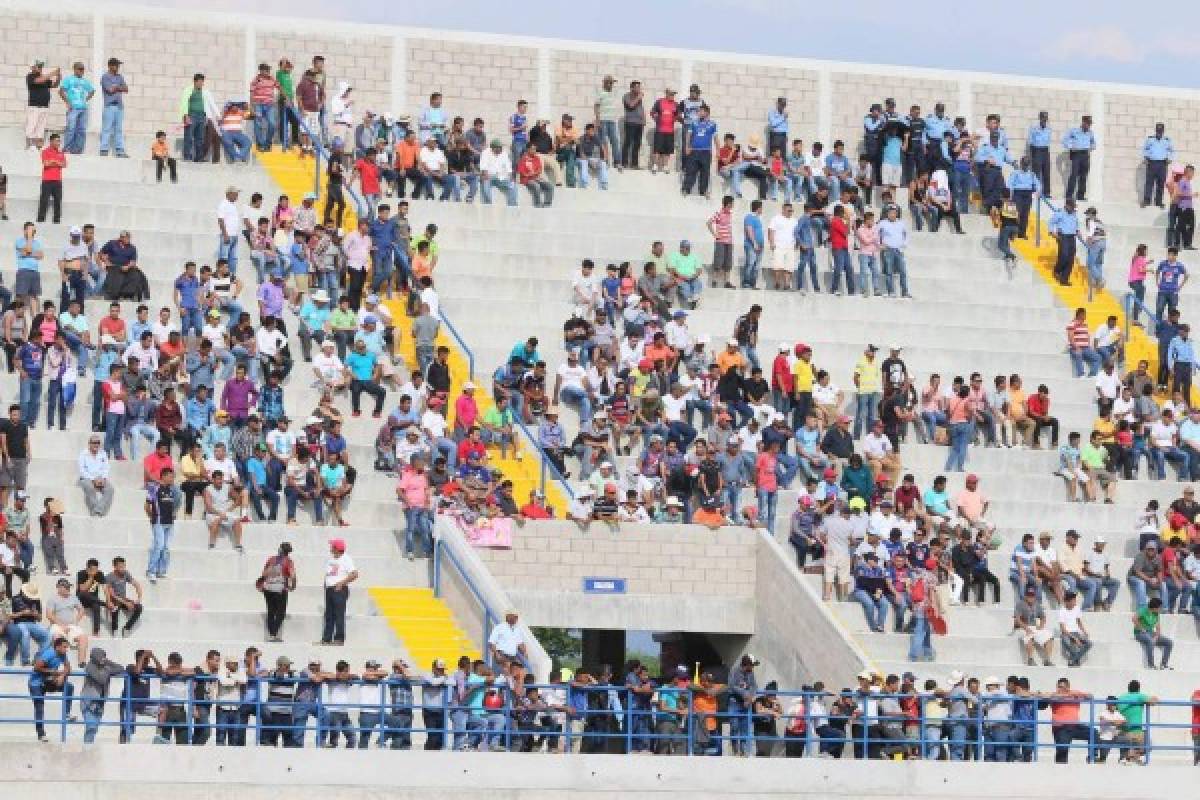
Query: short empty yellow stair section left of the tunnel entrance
[425,624]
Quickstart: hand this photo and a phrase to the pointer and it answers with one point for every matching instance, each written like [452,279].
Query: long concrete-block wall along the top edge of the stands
[482,75]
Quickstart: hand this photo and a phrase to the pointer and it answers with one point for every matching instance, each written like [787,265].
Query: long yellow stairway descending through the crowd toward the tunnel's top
[295,176]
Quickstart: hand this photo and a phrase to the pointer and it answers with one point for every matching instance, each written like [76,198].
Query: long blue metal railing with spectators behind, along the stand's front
[675,720]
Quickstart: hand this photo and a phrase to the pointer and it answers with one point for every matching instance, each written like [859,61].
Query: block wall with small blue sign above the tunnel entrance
[677,578]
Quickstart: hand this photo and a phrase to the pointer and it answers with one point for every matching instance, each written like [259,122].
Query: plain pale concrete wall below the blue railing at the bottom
[104,773]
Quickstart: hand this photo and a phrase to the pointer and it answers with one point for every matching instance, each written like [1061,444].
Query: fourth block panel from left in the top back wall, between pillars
[475,80]
